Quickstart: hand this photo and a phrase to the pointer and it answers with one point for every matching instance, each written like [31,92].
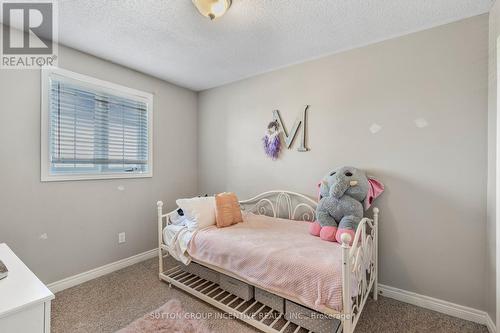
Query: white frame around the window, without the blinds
[108,87]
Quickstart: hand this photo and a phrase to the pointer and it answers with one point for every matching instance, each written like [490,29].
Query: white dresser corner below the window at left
[24,300]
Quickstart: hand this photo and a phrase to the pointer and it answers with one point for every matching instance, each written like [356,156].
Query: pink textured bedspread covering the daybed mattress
[276,254]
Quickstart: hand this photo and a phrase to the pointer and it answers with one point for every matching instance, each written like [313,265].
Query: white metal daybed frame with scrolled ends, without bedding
[359,261]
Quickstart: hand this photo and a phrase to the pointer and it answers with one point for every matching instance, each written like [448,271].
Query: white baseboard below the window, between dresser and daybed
[100,271]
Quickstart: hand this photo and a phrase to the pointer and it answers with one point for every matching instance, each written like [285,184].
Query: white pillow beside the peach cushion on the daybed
[201,209]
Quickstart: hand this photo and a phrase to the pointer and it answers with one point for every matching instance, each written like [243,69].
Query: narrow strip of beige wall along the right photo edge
[494,33]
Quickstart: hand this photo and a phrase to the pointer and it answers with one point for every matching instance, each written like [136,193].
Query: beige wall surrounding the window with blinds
[82,218]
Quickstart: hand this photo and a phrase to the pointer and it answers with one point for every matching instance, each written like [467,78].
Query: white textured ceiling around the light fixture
[169,39]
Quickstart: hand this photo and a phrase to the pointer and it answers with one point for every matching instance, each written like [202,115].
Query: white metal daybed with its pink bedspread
[273,252]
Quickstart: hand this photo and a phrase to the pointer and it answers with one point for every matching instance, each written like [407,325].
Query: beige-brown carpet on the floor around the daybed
[113,301]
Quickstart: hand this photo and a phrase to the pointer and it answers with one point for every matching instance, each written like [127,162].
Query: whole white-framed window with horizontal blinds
[92,129]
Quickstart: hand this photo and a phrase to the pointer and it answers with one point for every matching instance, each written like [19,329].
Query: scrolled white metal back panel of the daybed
[282,204]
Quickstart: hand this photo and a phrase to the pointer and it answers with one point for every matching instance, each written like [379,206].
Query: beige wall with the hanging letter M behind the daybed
[433,213]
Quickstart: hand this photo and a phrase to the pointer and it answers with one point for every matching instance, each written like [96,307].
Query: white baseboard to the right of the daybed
[438,305]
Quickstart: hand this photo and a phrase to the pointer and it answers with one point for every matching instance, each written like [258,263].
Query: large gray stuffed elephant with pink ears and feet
[344,194]
